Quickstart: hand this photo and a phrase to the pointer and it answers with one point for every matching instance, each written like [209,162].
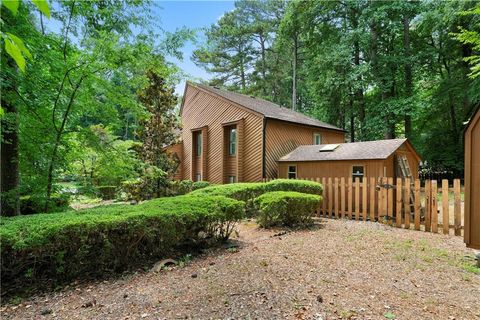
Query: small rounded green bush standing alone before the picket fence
[286,208]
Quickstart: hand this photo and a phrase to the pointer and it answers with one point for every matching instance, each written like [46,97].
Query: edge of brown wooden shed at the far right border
[472,182]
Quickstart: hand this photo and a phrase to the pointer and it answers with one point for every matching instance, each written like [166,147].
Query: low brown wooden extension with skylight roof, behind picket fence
[381,158]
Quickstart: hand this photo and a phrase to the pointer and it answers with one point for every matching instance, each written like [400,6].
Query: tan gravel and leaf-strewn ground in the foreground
[337,270]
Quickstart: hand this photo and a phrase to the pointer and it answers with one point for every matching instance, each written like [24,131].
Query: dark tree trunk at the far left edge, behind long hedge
[10,204]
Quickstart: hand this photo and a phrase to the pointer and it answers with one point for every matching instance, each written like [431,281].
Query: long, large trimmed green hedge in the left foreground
[63,246]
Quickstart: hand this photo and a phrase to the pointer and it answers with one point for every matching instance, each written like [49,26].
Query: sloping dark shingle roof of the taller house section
[267,108]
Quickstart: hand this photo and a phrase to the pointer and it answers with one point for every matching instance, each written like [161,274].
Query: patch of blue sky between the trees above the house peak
[193,15]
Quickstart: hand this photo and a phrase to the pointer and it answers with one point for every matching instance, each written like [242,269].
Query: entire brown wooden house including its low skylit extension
[229,137]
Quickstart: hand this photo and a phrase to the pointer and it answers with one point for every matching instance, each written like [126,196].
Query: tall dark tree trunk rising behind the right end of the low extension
[408,75]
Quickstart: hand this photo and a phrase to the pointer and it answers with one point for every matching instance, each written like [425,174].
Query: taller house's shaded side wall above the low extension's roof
[283,137]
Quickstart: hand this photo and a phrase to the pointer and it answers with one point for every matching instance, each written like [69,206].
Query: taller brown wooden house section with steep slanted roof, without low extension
[229,137]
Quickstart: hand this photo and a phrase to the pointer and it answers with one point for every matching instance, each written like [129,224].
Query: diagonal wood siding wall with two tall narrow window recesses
[203,109]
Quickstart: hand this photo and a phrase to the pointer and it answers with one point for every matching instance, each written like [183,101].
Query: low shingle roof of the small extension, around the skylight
[379,149]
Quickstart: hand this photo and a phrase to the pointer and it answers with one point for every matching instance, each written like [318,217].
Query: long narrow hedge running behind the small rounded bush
[248,191]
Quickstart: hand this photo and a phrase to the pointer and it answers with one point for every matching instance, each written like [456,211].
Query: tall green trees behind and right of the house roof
[380,69]
